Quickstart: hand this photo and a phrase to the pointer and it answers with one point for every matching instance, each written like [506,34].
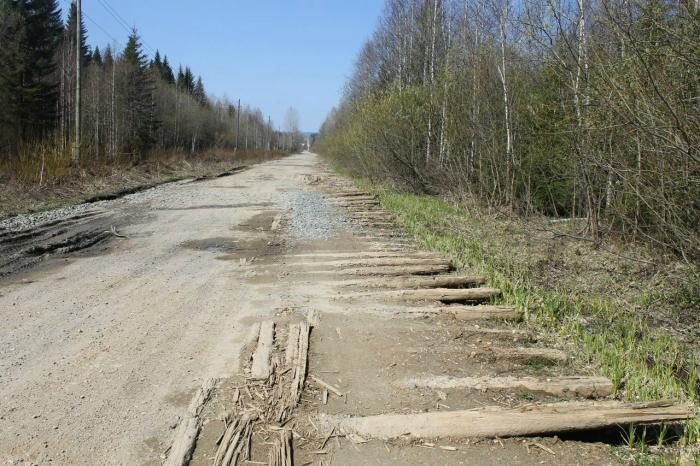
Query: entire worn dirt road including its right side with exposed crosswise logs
[103,349]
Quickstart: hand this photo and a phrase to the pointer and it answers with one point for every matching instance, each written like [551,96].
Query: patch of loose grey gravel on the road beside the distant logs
[313,217]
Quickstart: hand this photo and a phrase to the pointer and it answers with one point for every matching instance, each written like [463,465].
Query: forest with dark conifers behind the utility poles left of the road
[132,107]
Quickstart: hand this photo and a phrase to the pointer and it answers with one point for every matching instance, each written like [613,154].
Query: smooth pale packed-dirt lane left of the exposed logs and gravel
[100,350]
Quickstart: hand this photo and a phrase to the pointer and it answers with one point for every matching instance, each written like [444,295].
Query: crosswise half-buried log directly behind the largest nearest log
[586,387]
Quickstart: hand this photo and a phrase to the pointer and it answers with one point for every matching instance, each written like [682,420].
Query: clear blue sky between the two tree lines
[273,54]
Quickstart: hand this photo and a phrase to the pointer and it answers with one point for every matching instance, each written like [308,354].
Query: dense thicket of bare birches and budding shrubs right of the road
[572,109]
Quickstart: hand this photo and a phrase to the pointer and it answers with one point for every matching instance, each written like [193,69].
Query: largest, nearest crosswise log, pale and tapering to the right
[547,419]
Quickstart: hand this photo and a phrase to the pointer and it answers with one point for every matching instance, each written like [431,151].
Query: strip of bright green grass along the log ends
[641,361]
